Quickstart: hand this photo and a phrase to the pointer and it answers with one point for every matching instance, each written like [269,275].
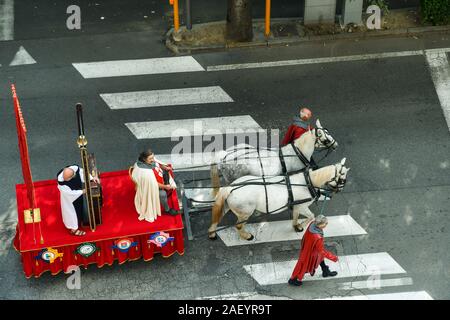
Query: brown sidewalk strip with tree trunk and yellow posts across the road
[284,32]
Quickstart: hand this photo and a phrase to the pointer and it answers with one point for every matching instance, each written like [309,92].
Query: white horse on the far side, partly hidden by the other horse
[243,159]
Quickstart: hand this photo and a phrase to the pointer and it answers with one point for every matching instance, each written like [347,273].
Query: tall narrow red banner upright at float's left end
[23,149]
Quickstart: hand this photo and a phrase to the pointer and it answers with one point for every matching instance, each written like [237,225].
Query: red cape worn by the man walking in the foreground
[312,253]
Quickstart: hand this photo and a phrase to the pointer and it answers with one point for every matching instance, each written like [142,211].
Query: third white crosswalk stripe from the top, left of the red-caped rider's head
[191,127]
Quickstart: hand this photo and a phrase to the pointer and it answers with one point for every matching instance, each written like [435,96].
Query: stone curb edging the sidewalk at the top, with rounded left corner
[179,50]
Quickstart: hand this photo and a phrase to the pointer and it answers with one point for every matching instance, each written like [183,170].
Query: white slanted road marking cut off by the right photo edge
[440,73]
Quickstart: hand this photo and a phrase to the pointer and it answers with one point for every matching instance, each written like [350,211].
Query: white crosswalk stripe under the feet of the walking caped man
[347,266]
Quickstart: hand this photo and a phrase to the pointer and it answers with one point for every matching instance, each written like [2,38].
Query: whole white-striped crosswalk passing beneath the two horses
[355,272]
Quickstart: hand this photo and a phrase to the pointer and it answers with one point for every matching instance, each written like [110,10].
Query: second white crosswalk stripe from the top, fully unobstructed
[169,97]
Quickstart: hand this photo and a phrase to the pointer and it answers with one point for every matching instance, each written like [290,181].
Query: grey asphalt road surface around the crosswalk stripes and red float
[385,113]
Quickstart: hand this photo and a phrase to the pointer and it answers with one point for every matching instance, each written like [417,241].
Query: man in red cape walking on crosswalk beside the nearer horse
[313,253]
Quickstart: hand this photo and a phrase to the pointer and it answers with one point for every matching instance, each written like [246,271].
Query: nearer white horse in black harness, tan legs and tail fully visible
[243,197]
